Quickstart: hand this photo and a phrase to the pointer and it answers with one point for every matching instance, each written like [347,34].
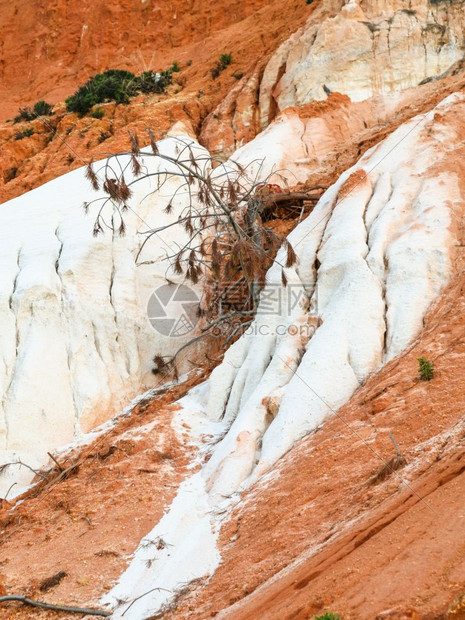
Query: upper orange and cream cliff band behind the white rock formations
[387,48]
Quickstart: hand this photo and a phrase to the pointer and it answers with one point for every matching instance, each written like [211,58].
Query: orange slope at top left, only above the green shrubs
[51,46]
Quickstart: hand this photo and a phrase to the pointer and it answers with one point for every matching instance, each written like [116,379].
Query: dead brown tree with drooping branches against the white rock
[228,247]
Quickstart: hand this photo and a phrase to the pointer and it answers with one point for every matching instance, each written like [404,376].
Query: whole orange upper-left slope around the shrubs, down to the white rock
[50,48]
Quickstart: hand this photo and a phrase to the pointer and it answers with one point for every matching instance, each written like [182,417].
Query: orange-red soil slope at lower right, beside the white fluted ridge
[323,533]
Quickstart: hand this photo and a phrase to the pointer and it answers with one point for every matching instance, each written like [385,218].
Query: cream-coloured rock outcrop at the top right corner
[363,48]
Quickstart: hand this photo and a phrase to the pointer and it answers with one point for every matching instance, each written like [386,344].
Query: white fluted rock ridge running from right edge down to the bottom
[372,257]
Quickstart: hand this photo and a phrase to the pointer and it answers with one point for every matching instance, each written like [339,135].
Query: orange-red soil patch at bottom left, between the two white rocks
[89,524]
